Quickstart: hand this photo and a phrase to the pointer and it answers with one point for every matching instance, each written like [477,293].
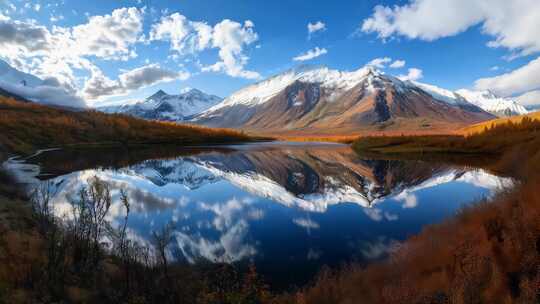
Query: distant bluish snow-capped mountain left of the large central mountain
[162,106]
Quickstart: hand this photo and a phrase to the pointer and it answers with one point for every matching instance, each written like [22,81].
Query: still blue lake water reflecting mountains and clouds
[288,208]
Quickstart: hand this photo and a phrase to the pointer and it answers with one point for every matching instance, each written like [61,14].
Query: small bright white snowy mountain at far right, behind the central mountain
[492,103]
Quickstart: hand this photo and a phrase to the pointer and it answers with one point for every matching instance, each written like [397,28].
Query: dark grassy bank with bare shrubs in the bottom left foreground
[44,259]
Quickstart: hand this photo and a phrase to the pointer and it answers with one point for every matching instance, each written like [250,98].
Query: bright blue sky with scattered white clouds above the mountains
[269,34]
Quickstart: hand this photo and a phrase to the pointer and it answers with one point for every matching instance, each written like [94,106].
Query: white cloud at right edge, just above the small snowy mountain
[519,81]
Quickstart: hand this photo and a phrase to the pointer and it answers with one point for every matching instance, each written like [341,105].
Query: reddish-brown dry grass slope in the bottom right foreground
[489,253]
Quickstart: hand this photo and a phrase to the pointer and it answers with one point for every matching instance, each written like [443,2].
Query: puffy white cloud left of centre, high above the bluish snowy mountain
[228,36]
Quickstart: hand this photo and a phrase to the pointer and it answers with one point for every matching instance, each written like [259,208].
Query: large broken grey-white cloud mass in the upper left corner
[57,52]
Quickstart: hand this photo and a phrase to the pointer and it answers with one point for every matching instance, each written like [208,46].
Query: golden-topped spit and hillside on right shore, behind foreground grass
[515,143]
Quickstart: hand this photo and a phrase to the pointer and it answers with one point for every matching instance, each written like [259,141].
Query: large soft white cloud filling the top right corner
[515,25]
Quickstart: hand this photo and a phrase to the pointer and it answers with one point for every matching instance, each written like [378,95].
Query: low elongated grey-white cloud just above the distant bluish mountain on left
[100,86]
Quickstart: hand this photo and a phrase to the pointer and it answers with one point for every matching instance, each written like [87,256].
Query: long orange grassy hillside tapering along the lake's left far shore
[25,127]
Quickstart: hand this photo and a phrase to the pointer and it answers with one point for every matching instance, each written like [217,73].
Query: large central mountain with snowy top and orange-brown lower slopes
[320,100]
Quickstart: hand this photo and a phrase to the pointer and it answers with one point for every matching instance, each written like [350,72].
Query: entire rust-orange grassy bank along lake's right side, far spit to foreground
[488,253]
